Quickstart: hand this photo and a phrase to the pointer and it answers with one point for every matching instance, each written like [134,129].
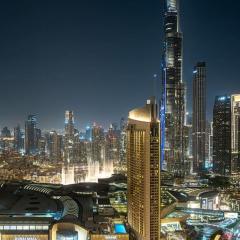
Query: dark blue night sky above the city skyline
[98,57]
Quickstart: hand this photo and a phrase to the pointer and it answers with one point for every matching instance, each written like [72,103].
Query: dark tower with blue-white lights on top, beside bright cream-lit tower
[222,135]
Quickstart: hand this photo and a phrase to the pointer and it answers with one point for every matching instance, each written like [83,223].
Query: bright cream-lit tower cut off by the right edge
[235,133]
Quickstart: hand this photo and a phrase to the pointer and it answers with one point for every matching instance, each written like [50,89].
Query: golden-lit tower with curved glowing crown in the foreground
[143,174]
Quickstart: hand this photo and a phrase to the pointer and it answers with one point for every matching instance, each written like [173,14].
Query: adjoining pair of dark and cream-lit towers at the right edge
[226,134]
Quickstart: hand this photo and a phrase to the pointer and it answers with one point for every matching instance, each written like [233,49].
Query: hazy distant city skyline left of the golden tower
[96,149]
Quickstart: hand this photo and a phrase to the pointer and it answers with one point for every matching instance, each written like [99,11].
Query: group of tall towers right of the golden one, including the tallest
[192,144]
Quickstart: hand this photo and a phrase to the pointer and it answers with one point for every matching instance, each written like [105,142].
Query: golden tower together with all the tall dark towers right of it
[173,140]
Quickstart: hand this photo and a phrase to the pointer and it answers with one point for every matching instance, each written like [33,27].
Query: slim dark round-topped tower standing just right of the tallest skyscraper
[199,117]
